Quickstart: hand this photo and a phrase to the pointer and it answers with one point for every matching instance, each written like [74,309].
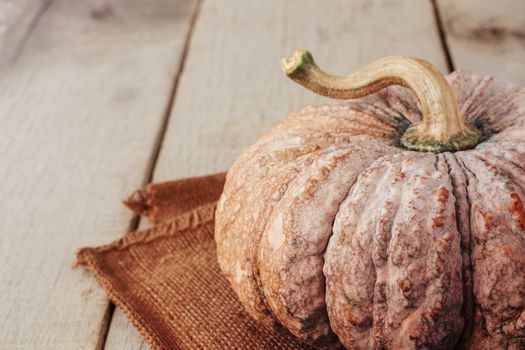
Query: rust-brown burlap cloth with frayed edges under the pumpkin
[166,279]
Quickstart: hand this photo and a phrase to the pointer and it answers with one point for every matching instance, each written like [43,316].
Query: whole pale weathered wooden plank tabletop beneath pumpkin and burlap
[100,97]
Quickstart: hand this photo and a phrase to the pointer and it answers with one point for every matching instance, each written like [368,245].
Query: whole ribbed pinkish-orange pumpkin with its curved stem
[394,220]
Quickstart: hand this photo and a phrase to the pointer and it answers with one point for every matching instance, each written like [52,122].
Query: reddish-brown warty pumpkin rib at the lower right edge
[499,279]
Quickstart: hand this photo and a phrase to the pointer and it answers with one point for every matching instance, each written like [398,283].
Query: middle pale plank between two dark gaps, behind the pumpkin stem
[232,88]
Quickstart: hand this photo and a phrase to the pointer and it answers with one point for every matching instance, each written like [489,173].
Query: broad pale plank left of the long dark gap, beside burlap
[80,112]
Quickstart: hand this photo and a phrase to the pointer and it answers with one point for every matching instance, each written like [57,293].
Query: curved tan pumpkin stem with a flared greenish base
[442,128]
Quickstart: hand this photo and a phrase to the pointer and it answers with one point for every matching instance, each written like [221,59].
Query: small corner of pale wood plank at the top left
[17,19]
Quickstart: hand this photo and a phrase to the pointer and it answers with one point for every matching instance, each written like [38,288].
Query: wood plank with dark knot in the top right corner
[486,37]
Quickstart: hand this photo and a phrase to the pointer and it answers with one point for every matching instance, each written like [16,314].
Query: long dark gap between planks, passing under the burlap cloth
[135,221]
